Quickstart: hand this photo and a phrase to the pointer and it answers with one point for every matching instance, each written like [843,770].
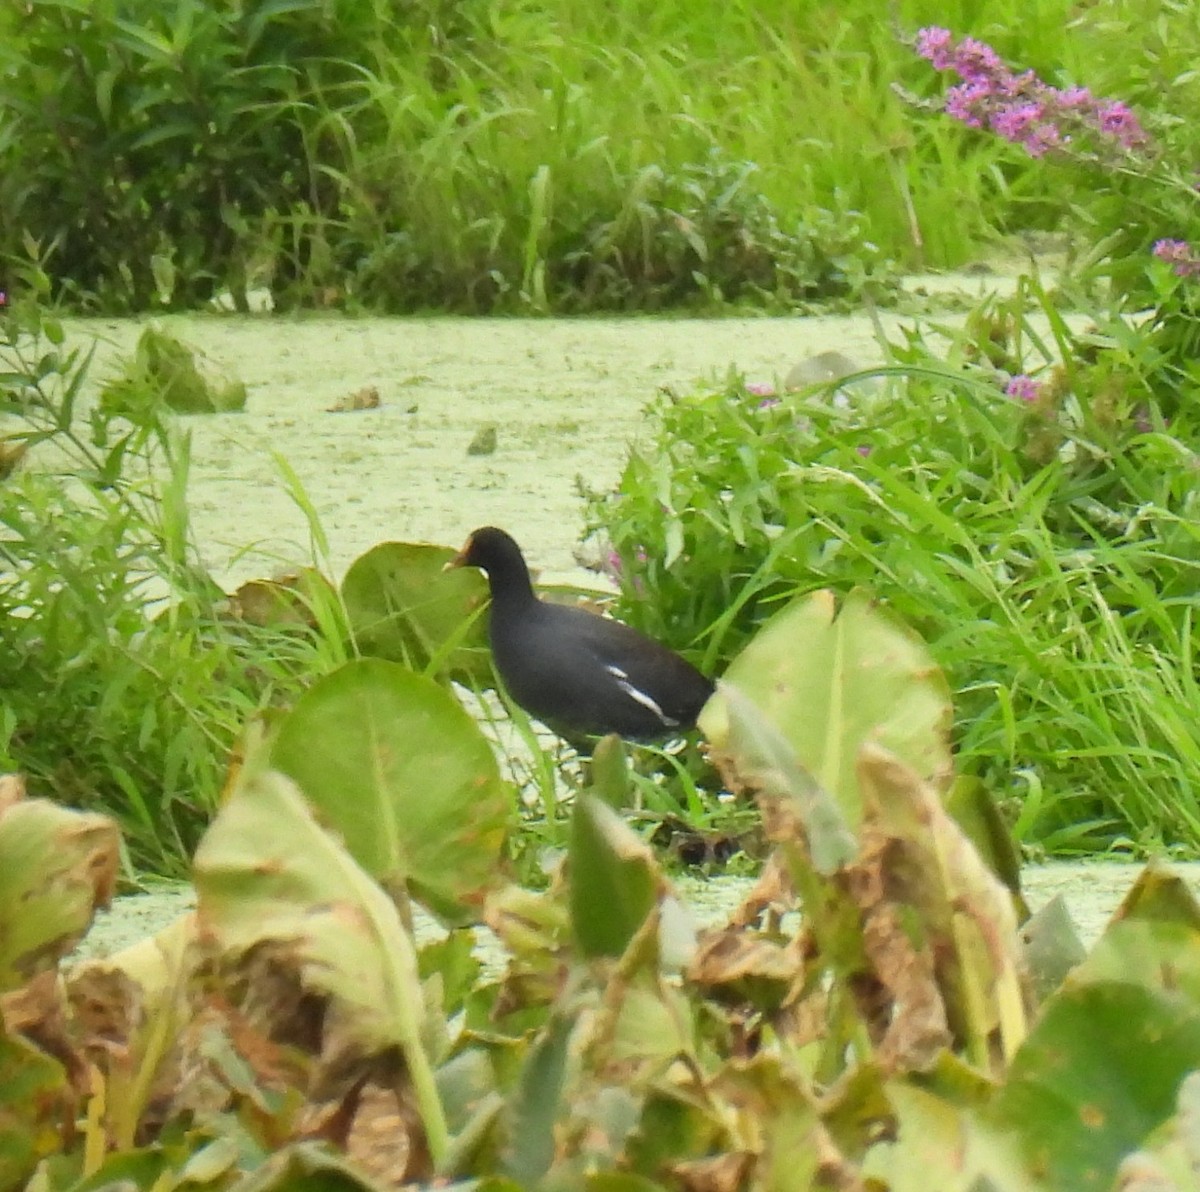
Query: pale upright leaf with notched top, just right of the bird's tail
[832,680]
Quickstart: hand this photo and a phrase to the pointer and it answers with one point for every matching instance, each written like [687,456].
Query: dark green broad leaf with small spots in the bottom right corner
[1097,1075]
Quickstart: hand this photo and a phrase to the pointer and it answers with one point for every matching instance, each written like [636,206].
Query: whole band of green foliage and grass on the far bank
[513,155]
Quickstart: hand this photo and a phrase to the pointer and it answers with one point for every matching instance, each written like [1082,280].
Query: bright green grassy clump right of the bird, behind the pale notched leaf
[1042,541]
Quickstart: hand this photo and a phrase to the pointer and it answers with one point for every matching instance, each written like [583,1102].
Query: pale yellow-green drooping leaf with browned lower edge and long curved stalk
[268,874]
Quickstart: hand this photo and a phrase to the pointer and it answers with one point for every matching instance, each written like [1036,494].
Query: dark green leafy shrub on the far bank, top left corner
[164,141]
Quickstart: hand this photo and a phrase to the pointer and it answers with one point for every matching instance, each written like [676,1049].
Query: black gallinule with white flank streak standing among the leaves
[578,672]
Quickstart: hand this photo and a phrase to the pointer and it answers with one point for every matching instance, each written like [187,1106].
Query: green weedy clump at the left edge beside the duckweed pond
[124,679]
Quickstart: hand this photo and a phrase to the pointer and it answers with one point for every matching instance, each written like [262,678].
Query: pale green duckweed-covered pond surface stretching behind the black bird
[567,398]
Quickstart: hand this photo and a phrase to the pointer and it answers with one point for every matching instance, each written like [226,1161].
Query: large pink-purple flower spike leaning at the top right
[1021,107]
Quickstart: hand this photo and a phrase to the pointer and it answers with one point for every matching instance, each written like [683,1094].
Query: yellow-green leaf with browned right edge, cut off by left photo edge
[57,867]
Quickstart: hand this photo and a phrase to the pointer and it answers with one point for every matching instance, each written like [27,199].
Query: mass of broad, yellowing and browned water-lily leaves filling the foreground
[292,1031]
